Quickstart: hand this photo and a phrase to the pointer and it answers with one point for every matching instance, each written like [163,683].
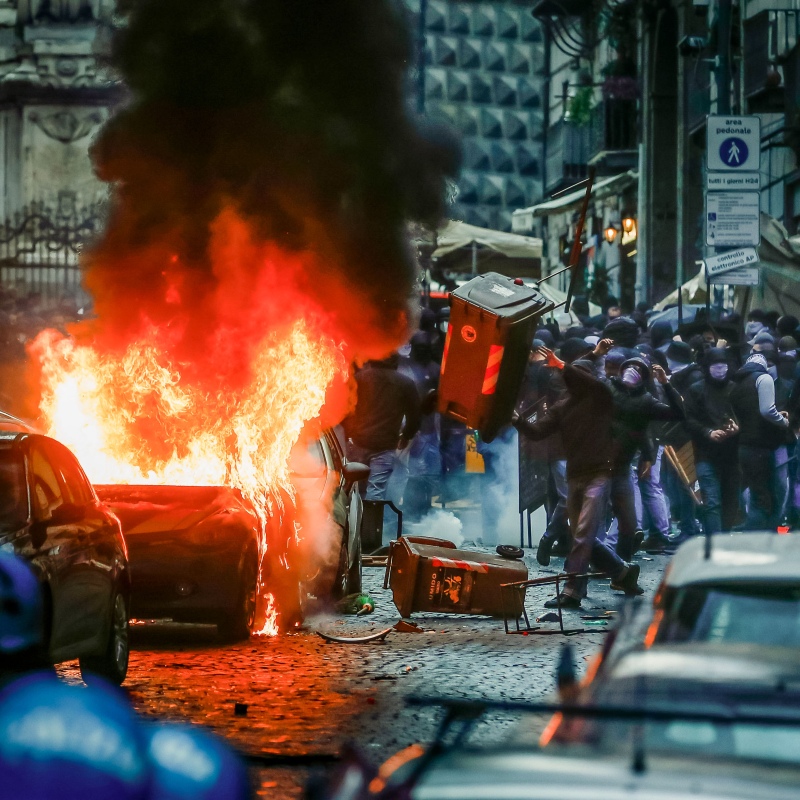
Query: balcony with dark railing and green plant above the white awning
[613,140]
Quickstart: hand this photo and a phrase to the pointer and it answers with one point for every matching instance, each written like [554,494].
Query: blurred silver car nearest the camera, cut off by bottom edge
[455,766]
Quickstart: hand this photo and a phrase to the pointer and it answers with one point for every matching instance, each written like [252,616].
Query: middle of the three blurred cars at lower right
[757,687]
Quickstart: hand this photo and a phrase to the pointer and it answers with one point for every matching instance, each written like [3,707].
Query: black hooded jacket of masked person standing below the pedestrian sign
[708,408]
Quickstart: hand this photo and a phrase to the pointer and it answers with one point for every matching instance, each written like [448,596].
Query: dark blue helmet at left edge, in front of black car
[21,608]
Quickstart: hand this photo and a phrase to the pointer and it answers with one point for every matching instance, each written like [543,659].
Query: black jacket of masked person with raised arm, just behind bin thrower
[634,409]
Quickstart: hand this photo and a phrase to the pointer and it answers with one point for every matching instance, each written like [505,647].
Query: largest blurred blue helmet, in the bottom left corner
[60,742]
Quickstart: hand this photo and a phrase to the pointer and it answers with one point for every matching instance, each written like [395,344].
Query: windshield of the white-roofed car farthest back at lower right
[768,616]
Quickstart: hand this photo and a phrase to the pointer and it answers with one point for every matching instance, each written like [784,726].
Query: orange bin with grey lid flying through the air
[492,320]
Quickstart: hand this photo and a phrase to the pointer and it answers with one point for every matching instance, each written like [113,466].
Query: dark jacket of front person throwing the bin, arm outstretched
[583,418]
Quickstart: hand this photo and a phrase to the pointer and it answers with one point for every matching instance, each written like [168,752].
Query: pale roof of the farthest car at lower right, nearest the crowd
[737,557]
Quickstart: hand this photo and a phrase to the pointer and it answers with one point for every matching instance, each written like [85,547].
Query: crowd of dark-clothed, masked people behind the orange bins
[653,432]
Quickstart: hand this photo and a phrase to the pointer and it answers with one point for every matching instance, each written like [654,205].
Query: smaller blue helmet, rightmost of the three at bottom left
[189,763]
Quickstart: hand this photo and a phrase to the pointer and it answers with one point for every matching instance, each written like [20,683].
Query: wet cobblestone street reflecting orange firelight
[306,697]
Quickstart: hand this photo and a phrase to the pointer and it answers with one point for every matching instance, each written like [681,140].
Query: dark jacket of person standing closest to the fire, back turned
[385,398]
